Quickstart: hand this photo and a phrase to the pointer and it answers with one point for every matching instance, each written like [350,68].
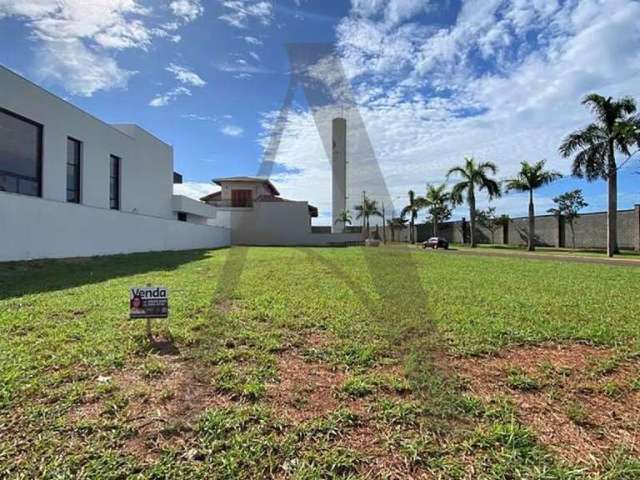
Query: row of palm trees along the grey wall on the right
[615,129]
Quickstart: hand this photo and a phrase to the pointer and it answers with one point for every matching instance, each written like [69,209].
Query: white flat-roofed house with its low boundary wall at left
[72,185]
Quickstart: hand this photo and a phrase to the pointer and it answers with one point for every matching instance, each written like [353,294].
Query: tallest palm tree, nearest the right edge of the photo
[615,129]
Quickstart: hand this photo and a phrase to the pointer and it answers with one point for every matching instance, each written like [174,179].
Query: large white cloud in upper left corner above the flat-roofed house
[75,38]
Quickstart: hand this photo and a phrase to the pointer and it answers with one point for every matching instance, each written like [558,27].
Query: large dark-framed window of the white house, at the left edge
[20,154]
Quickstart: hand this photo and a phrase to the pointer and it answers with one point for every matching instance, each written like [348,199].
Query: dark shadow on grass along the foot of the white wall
[41,276]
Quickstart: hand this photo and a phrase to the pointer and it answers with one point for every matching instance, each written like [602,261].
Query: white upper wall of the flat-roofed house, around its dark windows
[146,165]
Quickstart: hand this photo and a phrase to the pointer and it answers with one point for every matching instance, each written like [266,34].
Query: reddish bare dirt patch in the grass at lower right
[578,400]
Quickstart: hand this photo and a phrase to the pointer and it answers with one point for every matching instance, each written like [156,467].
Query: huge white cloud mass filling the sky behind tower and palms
[431,112]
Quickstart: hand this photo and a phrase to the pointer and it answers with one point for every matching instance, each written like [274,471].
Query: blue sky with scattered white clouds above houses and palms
[434,80]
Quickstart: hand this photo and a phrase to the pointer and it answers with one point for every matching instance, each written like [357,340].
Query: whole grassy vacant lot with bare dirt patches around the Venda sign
[321,363]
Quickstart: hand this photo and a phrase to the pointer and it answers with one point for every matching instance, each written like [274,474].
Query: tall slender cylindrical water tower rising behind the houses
[338,173]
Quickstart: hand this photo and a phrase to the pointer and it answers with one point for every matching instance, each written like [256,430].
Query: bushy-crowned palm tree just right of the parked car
[473,175]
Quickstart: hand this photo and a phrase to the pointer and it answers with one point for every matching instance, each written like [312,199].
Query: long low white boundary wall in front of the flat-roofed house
[35,228]
